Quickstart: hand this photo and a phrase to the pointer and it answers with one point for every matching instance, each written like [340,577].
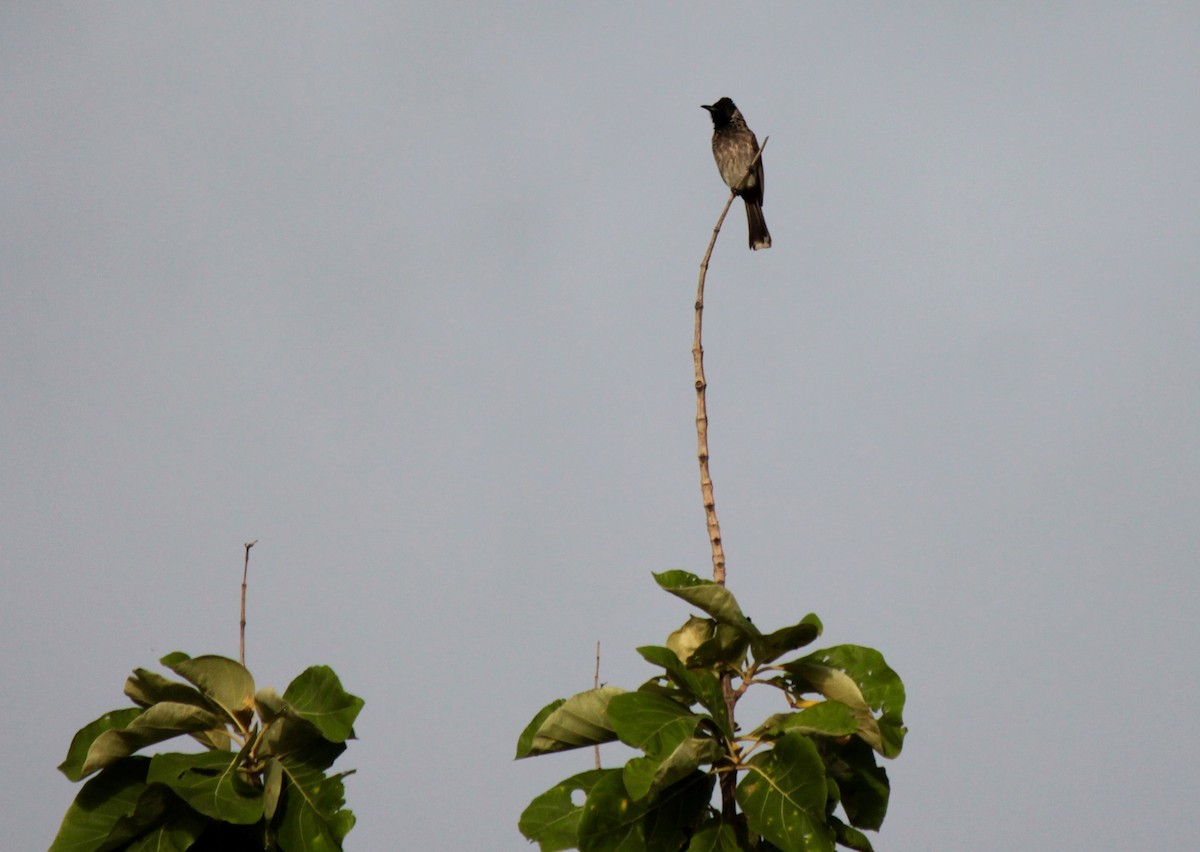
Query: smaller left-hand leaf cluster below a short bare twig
[259,781]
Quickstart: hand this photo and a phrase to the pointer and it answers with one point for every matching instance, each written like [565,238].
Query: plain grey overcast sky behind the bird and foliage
[405,292]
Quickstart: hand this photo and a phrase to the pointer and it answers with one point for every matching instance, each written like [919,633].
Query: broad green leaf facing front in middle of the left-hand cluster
[213,783]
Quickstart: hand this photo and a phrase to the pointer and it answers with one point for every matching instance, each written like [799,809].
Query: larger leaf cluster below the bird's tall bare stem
[809,778]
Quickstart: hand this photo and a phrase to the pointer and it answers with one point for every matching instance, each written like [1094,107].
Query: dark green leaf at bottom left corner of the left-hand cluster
[99,817]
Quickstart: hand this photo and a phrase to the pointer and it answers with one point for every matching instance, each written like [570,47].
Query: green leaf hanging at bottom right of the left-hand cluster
[311,817]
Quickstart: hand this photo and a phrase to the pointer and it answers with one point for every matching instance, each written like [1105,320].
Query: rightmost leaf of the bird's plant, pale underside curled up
[860,679]
